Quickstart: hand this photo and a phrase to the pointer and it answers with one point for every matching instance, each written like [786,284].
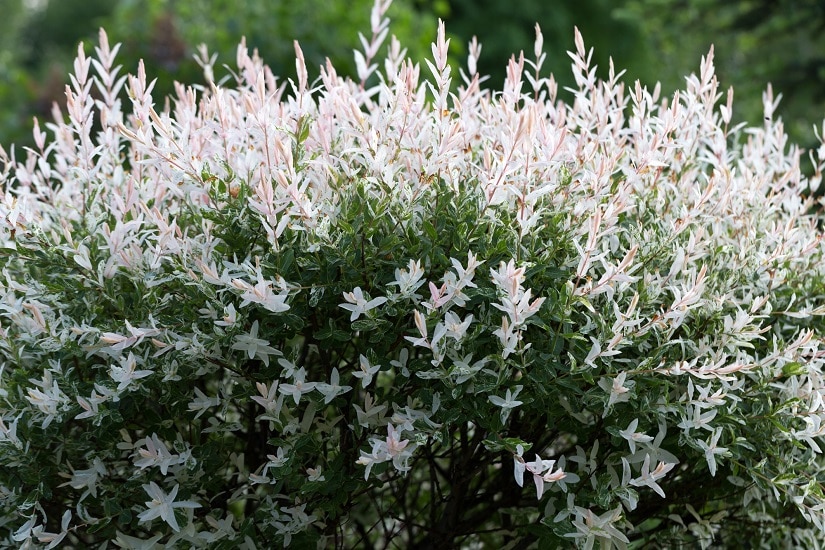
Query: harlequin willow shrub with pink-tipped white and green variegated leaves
[338,313]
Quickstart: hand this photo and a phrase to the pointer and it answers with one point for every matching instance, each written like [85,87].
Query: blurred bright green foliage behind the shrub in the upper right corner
[758,42]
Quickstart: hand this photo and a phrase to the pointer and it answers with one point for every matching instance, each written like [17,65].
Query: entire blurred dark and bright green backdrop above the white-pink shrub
[756,42]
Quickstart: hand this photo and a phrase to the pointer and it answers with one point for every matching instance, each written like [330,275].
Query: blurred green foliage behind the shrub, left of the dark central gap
[165,36]
